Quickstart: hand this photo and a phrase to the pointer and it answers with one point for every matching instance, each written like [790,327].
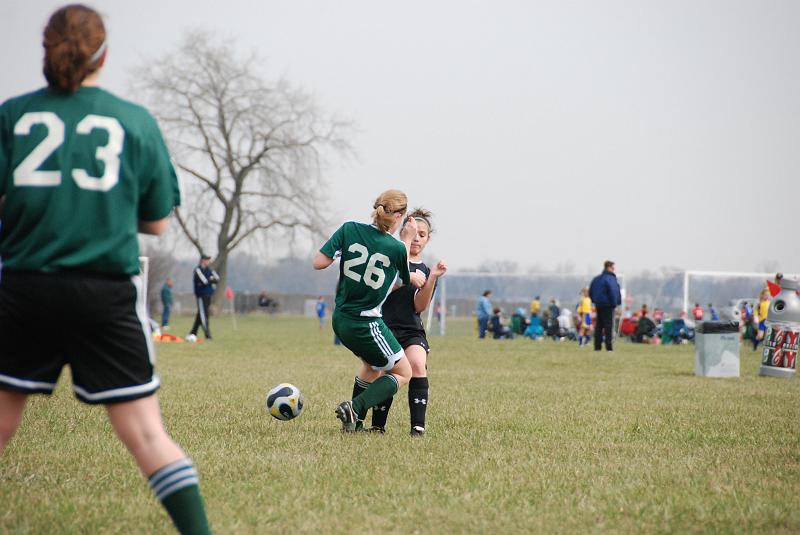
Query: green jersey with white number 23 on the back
[78,173]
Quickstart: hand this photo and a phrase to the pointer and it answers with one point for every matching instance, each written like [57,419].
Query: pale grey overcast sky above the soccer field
[544,133]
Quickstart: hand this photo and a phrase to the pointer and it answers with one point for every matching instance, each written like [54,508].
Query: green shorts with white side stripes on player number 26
[369,339]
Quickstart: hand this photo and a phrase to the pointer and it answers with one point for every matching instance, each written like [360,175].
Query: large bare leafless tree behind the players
[251,152]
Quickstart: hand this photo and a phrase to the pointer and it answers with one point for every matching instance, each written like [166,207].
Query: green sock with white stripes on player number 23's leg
[177,486]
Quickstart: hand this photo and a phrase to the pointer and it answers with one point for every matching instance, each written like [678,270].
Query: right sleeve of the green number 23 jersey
[160,192]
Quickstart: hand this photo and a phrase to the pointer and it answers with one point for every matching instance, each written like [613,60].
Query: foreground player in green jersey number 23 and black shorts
[81,171]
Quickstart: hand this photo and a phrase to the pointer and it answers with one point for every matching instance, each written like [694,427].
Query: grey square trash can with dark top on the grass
[716,349]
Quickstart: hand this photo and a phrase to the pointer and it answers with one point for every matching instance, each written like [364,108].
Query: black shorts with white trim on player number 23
[97,324]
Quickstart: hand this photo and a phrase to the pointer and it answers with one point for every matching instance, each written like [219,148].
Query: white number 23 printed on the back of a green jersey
[27,173]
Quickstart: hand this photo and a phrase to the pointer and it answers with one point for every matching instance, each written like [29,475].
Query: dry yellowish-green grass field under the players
[523,437]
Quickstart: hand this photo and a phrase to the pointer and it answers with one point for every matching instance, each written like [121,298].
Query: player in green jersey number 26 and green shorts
[372,263]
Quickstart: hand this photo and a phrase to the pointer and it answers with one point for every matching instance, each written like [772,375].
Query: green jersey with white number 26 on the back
[371,263]
